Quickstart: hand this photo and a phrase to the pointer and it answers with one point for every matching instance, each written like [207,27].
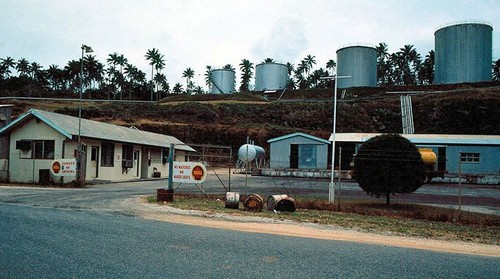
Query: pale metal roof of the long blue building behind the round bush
[424,138]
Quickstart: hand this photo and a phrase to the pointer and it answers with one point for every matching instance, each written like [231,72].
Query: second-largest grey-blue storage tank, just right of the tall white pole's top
[360,63]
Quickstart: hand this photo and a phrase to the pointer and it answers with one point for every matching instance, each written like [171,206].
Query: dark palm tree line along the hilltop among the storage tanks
[119,79]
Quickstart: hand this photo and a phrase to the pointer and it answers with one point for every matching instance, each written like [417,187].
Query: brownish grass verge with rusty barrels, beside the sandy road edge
[398,219]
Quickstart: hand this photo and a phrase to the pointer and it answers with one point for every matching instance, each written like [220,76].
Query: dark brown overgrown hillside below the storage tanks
[230,119]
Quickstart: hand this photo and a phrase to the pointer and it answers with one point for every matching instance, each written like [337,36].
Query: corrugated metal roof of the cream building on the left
[68,126]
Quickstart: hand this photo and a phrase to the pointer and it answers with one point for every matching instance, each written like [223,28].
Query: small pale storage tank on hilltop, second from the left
[271,76]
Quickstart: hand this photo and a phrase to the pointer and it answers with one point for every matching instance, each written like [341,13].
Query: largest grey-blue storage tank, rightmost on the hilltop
[463,53]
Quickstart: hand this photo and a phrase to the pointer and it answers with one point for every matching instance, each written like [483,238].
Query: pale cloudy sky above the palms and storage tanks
[197,33]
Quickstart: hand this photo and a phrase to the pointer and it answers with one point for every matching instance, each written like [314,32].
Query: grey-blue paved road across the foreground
[70,242]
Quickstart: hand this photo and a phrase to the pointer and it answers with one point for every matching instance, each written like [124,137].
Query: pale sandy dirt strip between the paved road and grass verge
[290,228]
